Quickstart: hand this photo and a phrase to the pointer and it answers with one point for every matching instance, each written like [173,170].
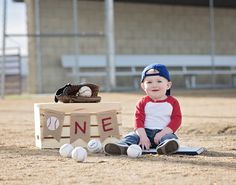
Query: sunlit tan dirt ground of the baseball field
[209,120]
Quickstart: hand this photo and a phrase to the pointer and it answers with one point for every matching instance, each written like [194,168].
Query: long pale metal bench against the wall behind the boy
[190,67]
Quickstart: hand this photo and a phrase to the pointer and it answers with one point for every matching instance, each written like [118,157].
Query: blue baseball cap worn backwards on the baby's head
[162,71]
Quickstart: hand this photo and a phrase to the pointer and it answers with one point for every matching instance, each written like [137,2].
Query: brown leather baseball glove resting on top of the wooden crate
[72,94]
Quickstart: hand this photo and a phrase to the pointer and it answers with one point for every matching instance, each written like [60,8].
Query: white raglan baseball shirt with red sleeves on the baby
[158,114]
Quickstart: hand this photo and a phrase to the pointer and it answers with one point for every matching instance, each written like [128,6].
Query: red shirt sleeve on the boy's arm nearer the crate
[140,114]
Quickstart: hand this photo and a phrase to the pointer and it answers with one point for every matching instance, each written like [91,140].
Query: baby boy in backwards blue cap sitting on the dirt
[157,116]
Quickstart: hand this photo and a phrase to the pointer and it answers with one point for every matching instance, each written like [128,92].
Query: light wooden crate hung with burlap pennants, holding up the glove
[76,123]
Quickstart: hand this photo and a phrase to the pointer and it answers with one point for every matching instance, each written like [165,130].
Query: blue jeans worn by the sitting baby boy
[133,138]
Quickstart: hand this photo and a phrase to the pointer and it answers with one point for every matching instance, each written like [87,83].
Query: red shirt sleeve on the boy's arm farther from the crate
[176,116]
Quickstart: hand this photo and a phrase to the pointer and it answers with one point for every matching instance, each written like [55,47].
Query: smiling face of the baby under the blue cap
[155,86]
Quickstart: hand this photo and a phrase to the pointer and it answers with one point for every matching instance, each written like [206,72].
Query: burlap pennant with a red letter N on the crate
[80,127]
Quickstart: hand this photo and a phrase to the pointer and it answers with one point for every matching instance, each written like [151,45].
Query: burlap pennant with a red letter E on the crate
[107,124]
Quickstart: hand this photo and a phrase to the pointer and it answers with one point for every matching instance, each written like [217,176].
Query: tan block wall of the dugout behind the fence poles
[139,29]
